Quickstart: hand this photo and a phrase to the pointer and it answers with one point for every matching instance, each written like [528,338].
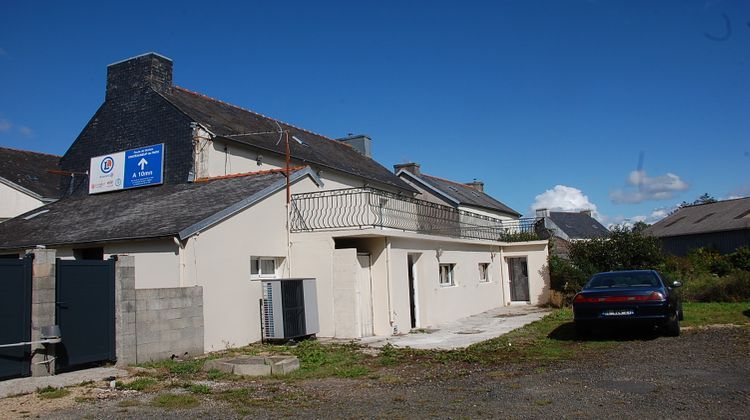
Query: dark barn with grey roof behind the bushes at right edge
[722,225]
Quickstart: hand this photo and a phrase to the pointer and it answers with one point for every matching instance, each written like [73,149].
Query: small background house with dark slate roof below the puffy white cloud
[564,228]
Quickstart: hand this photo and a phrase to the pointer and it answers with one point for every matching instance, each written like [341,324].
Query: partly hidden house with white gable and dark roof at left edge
[25,181]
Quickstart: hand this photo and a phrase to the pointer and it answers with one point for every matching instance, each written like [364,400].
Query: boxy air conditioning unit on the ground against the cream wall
[290,309]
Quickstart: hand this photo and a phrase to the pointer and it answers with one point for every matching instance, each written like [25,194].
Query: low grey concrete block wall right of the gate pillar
[168,321]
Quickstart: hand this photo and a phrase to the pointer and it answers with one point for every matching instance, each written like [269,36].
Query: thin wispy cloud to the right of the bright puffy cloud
[644,188]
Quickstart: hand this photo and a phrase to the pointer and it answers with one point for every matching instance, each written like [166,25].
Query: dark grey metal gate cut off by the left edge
[15,316]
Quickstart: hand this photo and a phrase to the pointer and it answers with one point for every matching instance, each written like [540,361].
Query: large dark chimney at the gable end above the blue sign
[130,76]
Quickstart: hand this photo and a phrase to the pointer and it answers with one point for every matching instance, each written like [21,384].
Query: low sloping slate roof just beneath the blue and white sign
[140,213]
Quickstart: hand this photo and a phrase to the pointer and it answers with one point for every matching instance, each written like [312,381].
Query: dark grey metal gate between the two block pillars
[85,312]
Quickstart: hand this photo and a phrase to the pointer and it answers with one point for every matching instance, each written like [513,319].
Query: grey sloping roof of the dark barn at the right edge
[703,218]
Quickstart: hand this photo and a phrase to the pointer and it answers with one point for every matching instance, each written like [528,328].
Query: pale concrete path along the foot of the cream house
[465,331]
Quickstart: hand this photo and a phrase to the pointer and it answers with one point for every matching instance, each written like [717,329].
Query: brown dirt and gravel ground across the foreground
[705,373]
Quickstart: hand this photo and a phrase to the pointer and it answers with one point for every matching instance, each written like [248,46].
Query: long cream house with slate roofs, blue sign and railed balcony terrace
[234,197]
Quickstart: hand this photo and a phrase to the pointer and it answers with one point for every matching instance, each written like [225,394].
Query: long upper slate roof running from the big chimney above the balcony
[234,123]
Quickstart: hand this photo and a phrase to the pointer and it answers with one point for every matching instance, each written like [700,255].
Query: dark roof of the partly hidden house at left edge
[29,170]
